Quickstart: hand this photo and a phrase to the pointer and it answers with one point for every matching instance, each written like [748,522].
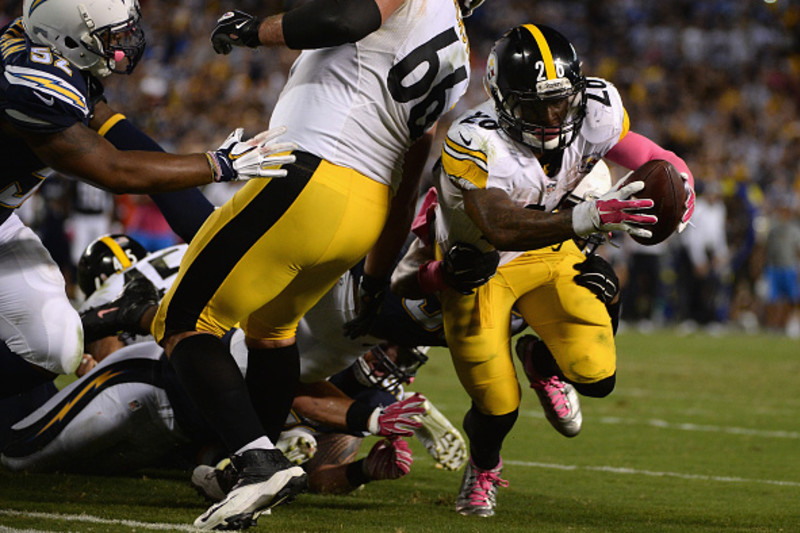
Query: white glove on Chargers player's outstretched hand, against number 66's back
[254,158]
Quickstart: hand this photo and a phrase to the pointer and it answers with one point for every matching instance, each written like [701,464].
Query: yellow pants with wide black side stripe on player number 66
[269,254]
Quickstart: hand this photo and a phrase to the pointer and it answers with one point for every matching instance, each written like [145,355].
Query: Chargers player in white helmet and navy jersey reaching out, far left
[54,117]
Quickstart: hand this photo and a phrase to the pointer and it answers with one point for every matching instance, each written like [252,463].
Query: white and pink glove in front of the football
[610,212]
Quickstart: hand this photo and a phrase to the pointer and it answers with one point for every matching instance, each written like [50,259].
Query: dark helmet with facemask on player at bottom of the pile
[388,366]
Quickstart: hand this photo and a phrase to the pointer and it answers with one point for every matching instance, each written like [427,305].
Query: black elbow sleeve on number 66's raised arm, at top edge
[325,23]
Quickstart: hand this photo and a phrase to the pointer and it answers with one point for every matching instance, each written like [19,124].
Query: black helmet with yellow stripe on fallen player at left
[105,256]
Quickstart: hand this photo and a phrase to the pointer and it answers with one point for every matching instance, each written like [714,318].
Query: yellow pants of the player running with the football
[569,318]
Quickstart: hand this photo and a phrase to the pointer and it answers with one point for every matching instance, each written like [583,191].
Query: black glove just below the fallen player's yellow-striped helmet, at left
[123,314]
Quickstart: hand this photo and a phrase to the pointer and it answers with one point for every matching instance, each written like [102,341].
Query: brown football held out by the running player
[663,185]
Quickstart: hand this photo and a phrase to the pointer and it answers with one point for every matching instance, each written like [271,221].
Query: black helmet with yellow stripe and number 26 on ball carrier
[534,76]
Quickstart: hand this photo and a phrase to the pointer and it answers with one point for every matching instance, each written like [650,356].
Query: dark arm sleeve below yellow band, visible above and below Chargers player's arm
[186,210]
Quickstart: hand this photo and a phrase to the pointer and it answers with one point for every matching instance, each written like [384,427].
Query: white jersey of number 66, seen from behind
[361,105]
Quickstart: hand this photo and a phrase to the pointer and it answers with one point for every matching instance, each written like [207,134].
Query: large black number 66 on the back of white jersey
[426,112]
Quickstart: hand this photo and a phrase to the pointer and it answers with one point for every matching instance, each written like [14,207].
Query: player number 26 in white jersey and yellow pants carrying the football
[507,164]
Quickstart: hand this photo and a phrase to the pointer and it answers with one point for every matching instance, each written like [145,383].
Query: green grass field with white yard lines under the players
[701,434]
